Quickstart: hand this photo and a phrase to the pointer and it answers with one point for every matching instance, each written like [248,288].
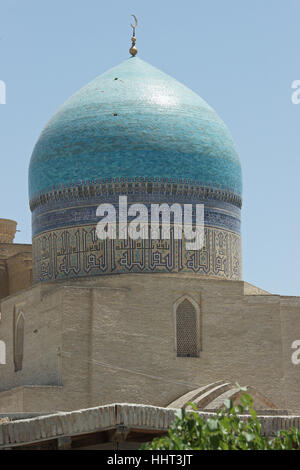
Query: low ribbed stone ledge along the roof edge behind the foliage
[102,418]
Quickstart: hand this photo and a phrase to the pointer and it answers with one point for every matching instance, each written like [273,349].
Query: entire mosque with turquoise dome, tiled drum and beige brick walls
[89,324]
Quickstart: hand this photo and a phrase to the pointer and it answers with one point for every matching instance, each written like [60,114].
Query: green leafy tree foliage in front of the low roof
[227,430]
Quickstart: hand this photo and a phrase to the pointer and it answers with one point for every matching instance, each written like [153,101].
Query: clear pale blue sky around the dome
[240,55]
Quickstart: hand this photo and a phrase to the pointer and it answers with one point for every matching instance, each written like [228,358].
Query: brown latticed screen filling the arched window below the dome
[186,330]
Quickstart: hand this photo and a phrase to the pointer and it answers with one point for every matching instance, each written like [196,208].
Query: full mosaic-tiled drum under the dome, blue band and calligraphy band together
[65,244]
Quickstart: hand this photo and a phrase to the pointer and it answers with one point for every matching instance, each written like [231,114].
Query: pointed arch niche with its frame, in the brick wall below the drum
[187,327]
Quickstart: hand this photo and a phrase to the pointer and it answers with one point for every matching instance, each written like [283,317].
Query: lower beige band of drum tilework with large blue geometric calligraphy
[76,252]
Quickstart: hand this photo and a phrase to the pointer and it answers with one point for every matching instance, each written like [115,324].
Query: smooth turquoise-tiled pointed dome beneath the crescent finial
[134,122]
